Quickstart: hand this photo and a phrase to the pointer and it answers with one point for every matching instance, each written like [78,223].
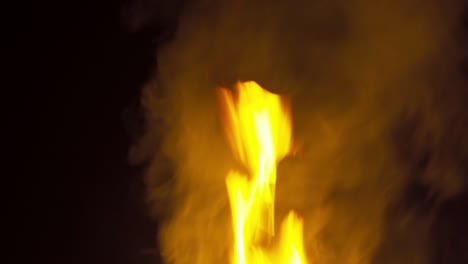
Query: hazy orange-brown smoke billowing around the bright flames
[377,104]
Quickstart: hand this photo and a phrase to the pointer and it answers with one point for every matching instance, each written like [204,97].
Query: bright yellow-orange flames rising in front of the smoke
[258,127]
